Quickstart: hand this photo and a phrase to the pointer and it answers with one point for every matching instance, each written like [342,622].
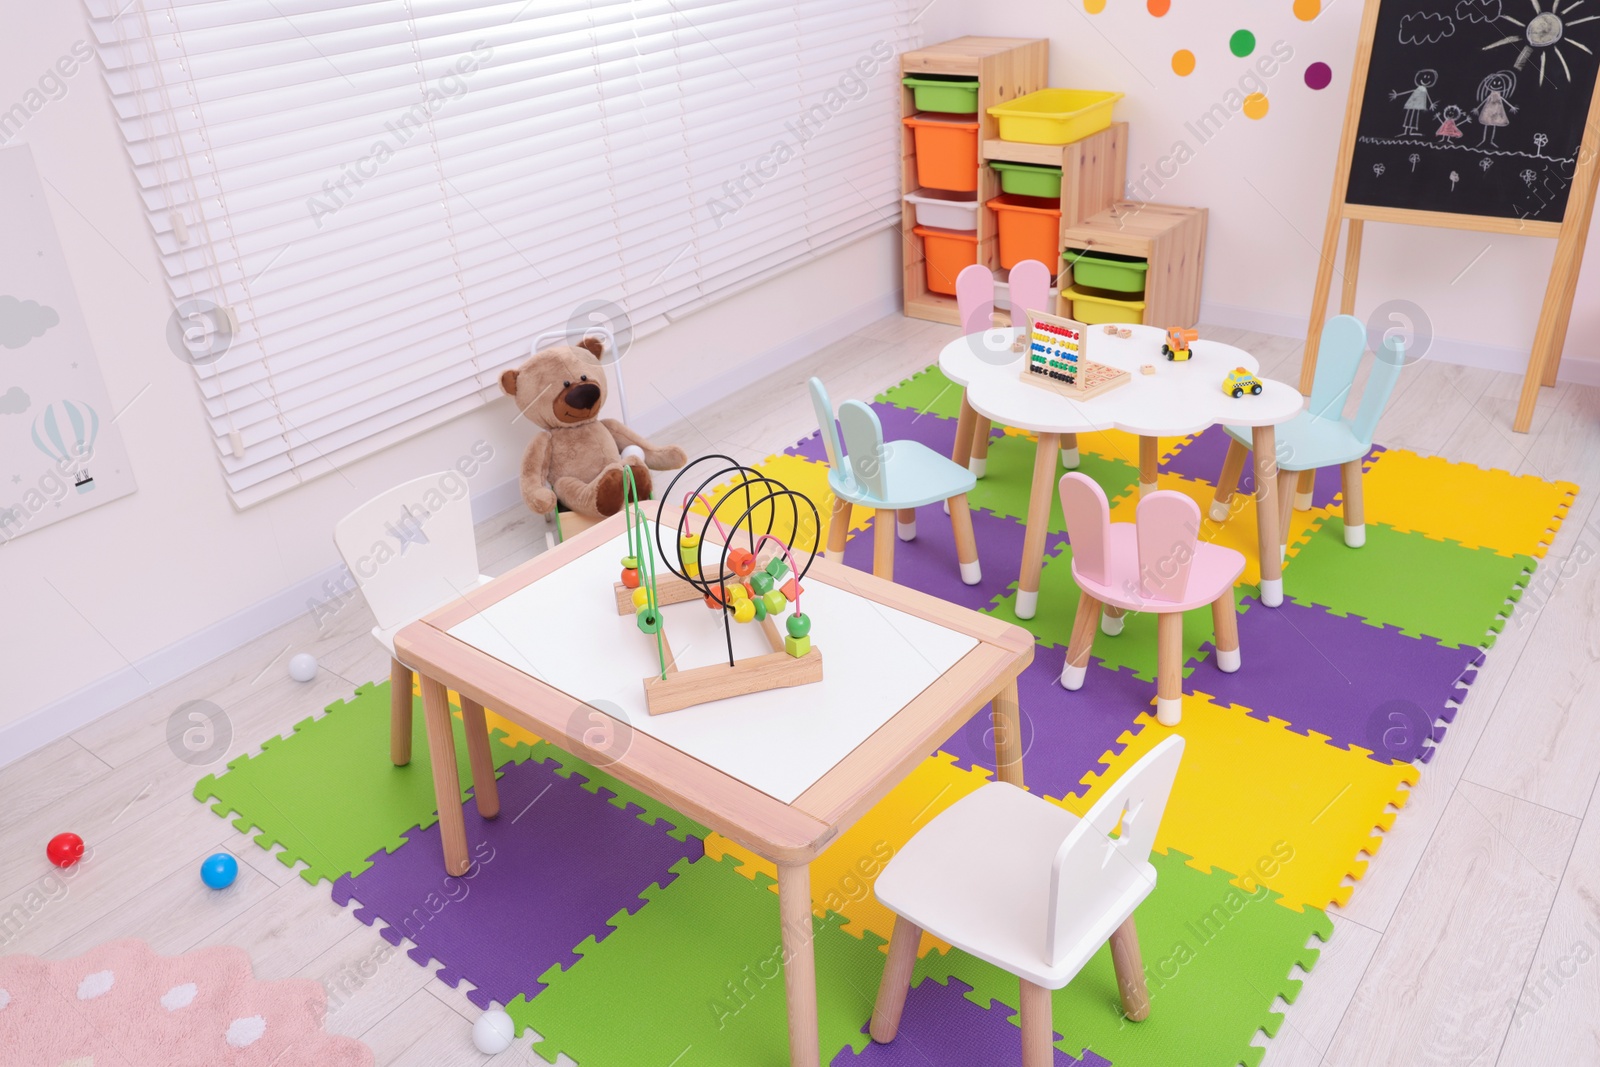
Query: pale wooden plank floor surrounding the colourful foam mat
[1474,938]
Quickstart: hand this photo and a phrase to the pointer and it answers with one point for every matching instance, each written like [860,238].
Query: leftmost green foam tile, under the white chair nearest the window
[327,793]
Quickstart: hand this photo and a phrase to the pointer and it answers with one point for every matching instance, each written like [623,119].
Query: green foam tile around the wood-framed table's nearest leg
[695,980]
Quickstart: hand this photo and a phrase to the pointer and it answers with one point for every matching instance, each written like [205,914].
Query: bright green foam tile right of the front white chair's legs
[1215,959]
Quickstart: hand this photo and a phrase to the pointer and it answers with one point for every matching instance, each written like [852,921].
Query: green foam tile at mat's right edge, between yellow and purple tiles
[1423,588]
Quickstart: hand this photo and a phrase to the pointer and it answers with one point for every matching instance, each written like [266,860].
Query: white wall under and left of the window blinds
[90,596]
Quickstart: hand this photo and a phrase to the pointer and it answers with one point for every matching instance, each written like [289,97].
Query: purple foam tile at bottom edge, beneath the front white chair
[942,1028]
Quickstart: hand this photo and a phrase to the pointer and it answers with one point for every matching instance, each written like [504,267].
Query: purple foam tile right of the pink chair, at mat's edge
[1358,684]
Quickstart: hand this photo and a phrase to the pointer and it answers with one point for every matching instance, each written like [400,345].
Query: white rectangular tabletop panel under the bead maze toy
[564,629]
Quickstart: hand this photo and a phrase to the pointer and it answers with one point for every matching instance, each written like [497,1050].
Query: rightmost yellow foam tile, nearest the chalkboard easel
[1455,502]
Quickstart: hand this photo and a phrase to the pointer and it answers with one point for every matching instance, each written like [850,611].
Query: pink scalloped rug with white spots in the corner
[122,1005]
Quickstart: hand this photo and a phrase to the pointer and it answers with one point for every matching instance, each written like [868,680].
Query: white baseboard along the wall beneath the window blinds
[111,692]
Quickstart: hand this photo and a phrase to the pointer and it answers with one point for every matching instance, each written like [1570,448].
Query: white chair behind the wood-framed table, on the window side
[412,551]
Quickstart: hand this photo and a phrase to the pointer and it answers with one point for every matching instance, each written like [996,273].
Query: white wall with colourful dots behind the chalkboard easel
[1268,182]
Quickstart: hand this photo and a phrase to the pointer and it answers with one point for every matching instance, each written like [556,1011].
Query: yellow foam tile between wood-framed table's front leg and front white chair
[844,876]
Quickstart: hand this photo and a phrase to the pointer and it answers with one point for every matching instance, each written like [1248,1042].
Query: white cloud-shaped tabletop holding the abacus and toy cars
[1178,399]
